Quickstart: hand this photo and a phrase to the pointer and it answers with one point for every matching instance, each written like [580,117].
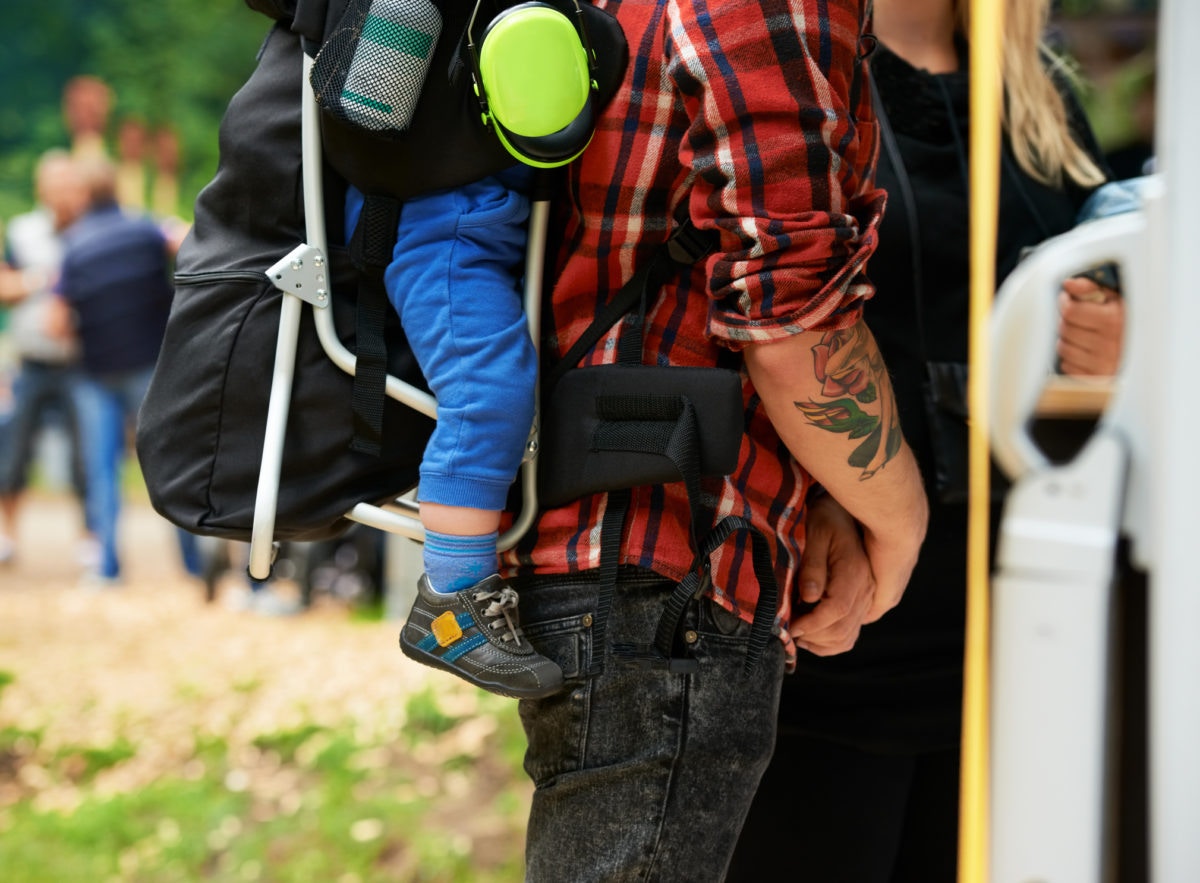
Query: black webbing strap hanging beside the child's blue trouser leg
[371,250]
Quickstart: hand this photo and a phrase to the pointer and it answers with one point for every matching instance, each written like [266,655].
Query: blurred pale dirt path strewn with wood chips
[153,662]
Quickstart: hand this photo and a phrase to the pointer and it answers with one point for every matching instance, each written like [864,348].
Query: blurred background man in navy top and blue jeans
[117,283]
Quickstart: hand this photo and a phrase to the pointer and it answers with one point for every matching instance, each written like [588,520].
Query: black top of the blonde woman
[901,689]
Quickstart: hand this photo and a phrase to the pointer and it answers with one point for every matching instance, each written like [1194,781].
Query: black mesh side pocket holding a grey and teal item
[373,69]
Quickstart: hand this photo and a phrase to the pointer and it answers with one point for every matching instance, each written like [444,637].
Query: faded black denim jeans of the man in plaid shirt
[641,774]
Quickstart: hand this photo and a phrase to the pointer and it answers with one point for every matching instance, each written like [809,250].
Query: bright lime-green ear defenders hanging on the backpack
[535,77]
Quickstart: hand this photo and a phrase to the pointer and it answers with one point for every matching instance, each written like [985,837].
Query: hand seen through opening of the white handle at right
[1090,329]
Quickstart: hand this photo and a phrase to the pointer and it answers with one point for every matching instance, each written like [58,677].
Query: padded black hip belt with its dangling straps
[617,427]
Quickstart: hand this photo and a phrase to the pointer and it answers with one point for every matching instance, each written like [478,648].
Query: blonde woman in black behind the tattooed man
[863,786]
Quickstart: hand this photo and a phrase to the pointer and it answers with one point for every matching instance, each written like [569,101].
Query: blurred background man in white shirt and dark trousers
[44,383]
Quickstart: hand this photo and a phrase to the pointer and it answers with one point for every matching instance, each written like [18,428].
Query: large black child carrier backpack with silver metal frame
[356,413]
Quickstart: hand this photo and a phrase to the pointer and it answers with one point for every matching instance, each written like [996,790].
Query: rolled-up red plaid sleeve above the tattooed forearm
[783,146]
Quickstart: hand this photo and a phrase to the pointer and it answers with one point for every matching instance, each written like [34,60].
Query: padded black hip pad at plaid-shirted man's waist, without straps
[603,425]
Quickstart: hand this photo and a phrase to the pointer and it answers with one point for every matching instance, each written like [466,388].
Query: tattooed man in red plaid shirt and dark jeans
[754,121]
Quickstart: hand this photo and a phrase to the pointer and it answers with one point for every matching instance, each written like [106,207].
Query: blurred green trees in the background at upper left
[171,65]
